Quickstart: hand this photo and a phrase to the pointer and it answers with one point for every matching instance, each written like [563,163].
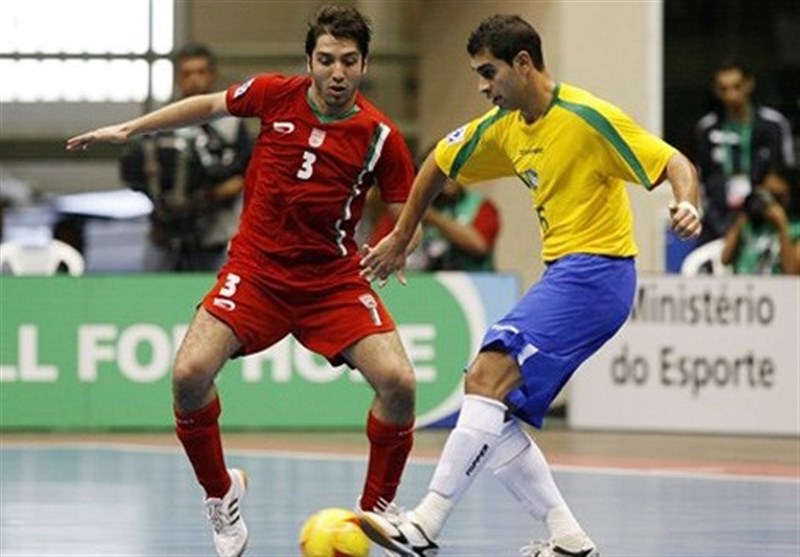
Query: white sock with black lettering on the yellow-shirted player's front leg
[466,451]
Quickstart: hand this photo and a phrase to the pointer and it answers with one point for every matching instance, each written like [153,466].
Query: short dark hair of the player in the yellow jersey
[505,36]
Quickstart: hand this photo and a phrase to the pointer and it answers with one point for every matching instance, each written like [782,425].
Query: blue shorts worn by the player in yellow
[580,302]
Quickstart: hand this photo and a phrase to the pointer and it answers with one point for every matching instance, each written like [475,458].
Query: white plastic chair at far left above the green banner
[40,258]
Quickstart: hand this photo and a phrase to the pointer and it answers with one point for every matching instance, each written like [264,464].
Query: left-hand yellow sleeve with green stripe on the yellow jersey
[473,152]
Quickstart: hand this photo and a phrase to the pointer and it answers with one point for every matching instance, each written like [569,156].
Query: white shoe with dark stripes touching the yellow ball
[396,532]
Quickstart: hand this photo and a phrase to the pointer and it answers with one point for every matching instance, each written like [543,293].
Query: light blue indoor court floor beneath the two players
[112,499]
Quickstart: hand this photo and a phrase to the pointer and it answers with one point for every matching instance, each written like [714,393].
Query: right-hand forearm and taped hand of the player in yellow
[682,176]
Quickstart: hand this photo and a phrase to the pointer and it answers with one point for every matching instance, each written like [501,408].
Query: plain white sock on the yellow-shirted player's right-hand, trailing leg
[521,467]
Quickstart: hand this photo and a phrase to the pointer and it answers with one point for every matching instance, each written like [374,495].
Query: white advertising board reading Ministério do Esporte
[698,354]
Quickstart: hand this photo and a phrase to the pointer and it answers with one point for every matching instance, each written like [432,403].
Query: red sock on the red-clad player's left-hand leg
[198,432]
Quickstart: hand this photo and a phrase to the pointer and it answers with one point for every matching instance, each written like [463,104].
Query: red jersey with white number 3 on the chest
[307,180]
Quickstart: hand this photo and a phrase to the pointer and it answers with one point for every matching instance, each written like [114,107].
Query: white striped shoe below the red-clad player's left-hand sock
[230,531]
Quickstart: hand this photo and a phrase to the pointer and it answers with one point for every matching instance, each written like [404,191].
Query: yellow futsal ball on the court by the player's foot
[333,533]
